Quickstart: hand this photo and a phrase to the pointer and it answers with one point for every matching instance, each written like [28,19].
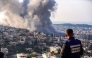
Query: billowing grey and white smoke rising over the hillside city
[31,14]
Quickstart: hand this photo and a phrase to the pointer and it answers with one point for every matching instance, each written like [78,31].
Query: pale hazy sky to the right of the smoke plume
[73,11]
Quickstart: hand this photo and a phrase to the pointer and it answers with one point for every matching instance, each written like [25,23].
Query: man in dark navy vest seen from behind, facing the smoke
[72,48]
